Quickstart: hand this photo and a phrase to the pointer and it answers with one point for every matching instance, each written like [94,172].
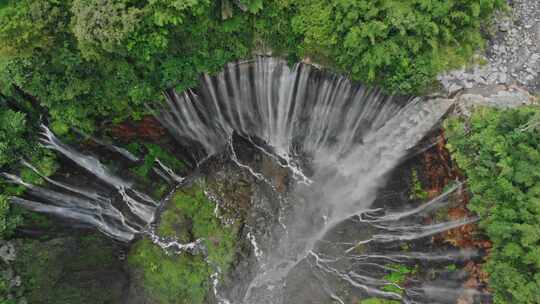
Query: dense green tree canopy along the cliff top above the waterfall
[100,60]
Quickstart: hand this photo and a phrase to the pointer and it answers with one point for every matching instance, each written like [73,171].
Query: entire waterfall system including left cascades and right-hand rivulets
[339,140]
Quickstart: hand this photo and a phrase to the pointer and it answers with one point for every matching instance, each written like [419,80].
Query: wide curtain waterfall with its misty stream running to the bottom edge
[352,136]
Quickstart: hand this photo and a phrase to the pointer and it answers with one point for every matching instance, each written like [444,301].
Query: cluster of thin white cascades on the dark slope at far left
[88,205]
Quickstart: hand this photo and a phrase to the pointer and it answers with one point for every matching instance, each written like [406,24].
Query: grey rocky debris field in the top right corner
[512,56]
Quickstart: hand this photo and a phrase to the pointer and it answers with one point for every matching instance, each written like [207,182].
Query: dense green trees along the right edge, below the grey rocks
[501,158]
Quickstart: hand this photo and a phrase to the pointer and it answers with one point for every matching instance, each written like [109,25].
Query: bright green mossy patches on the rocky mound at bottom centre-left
[185,278]
